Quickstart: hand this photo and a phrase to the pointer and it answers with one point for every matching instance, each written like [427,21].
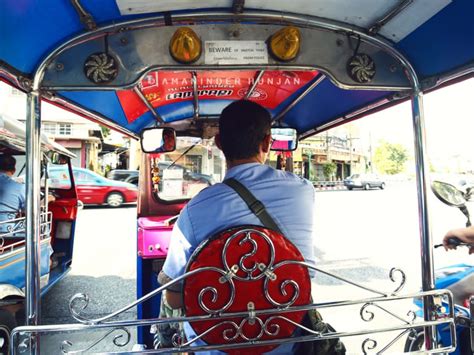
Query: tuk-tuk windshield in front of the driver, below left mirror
[194,165]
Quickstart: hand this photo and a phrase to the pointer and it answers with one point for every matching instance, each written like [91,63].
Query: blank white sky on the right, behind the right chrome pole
[449,123]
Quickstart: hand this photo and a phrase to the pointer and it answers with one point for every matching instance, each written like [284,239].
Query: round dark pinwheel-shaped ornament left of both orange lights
[101,68]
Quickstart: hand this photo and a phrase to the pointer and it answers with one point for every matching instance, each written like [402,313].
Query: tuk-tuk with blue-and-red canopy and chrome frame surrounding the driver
[313,64]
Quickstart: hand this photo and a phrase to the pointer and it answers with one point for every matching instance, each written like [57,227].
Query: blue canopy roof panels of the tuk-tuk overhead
[436,37]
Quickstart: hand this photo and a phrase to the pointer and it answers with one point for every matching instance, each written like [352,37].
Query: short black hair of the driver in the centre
[242,127]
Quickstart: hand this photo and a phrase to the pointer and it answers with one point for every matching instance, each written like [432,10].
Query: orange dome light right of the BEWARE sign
[285,44]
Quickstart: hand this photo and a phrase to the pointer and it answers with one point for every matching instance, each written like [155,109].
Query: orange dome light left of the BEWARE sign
[185,45]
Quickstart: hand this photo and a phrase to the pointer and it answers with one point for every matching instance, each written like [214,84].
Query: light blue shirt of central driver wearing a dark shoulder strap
[288,199]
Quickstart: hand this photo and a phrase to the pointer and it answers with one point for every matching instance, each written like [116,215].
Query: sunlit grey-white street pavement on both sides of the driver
[359,235]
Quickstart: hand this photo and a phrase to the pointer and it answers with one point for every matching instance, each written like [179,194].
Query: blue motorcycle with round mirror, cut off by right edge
[457,278]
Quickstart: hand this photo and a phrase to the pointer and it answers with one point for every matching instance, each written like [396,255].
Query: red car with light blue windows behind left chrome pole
[94,189]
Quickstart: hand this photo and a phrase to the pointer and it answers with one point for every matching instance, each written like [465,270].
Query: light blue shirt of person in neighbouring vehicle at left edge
[12,198]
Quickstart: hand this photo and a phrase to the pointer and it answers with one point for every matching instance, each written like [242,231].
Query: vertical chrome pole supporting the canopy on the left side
[33,210]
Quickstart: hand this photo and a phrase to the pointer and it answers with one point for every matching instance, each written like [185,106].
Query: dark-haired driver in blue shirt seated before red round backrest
[245,140]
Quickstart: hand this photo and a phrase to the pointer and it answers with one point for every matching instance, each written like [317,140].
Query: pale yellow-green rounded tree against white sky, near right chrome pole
[390,158]
